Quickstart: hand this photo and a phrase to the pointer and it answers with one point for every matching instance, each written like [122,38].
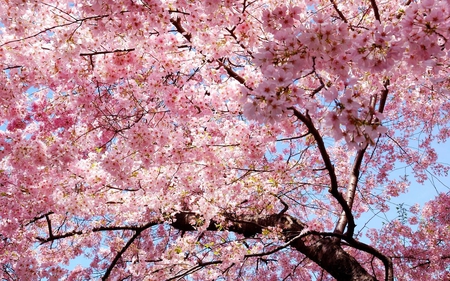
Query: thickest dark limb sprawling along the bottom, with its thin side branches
[320,248]
